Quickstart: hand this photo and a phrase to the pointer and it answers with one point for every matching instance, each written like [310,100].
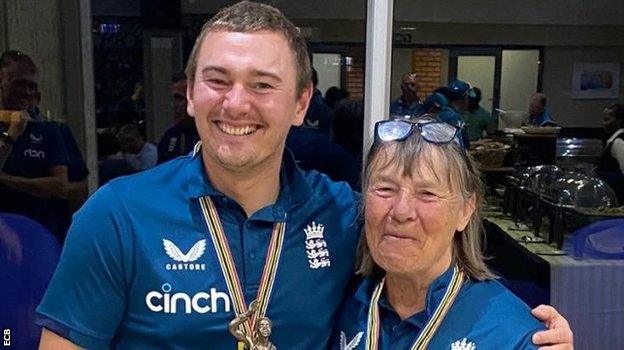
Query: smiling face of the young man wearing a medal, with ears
[244,98]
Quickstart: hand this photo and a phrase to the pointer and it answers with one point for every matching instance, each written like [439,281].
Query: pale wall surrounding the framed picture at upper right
[557,84]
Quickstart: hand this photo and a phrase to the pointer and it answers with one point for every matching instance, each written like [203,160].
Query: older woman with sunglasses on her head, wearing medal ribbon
[426,285]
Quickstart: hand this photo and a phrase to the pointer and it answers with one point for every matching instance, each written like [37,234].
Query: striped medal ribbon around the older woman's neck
[427,333]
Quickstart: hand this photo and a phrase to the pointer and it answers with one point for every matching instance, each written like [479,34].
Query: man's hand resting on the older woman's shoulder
[558,336]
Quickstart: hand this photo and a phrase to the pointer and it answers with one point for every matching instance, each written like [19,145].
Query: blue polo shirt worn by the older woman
[485,314]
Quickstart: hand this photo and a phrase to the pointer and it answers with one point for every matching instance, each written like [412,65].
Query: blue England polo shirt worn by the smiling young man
[116,286]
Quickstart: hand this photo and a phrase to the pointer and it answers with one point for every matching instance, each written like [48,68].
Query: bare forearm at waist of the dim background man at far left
[54,185]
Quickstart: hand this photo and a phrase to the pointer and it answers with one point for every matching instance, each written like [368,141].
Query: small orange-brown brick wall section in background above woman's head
[427,64]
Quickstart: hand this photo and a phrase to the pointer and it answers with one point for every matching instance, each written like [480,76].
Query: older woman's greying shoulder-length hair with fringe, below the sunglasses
[457,169]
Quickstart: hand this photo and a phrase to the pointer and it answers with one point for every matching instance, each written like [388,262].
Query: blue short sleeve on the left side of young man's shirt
[86,298]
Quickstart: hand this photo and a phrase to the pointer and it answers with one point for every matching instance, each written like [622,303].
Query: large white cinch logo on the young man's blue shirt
[201,302]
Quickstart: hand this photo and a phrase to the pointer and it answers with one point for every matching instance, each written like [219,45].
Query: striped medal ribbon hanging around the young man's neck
[228,267]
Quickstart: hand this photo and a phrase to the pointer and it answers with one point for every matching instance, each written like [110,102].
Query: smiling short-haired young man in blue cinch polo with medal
[167,258]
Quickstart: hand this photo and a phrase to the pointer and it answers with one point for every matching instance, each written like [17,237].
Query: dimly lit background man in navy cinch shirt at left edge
[33,157]
